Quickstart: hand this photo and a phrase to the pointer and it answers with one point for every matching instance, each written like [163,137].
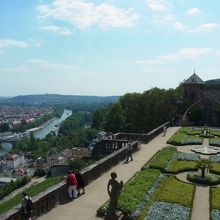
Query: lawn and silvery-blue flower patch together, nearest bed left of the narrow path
[171,193]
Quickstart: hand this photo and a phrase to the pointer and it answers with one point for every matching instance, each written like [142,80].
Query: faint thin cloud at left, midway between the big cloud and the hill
[48,65]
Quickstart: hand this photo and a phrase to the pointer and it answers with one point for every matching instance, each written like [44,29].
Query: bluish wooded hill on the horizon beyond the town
[56,99]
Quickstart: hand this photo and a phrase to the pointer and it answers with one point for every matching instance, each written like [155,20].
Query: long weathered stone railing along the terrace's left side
[57,194]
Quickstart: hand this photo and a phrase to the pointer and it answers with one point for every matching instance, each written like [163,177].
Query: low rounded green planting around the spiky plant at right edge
[209,179]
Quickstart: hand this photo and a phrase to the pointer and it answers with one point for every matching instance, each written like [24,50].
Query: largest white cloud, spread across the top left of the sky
[83,14]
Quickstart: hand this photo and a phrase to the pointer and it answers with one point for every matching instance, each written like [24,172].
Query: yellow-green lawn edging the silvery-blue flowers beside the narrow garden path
[171,190]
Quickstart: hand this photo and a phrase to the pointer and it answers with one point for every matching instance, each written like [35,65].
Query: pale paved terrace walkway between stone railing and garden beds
[84,208]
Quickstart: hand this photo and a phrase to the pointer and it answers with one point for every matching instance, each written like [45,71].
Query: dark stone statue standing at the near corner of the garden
[114,190]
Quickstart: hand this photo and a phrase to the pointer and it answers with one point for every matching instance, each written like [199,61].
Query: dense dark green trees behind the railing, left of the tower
[137,112]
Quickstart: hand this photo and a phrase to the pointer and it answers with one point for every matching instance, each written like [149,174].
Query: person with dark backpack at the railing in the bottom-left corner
[27,206]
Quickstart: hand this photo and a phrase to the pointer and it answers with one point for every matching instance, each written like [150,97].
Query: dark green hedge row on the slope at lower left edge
[13,185]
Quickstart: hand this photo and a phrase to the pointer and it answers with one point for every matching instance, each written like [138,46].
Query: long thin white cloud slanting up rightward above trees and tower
[185,53]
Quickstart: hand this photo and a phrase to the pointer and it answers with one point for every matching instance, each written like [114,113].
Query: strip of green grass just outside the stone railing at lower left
[32,191]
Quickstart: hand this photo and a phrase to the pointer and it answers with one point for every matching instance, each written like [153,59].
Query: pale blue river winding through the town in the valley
[51,125]
